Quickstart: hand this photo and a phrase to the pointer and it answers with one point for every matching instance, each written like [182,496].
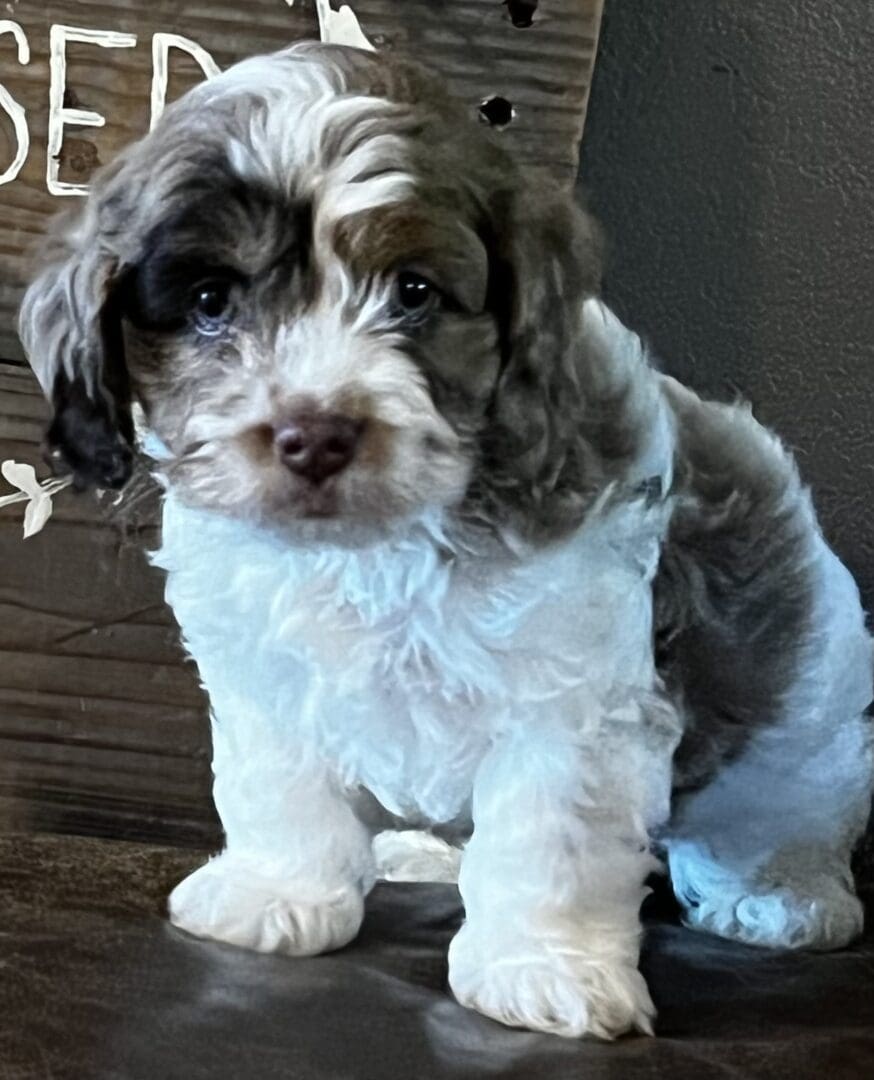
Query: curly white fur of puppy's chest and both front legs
[518,693]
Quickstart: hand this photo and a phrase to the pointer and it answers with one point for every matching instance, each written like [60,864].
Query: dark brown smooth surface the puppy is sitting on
[96,985]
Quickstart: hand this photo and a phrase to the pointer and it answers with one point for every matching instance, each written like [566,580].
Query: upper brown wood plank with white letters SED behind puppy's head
[544,71]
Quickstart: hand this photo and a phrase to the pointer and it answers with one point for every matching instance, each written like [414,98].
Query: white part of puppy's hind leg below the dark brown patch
[762,855]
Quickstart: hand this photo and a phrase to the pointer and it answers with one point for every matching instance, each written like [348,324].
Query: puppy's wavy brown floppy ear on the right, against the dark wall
[539,447]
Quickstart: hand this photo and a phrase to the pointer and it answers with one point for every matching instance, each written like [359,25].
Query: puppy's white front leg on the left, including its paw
[298,863]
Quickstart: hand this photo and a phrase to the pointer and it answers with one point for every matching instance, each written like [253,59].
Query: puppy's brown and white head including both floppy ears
[337,301]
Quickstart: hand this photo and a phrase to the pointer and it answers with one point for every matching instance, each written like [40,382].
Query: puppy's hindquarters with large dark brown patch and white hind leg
[769,652]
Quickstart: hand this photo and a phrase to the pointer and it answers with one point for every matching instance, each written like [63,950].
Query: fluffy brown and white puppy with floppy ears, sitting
[449,551]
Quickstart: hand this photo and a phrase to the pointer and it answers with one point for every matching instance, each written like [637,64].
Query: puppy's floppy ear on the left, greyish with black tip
[71,329]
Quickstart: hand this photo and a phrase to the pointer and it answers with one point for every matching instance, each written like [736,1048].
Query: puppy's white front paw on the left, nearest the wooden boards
[234,900]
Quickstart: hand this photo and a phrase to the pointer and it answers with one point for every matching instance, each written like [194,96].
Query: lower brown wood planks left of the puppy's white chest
[103,726]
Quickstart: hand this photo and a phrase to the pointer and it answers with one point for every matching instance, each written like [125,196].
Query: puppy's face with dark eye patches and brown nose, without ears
[305,362]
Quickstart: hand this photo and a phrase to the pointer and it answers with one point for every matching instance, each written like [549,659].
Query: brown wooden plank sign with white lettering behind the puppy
[103,727]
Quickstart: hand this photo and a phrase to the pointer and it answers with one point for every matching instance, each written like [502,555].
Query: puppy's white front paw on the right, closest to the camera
[548,988]
